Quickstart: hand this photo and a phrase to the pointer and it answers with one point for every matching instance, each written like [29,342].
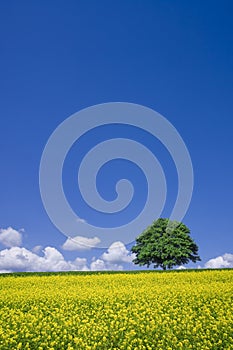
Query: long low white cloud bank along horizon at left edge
[22,259]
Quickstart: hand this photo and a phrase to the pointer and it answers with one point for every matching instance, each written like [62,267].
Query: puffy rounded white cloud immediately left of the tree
[117,253]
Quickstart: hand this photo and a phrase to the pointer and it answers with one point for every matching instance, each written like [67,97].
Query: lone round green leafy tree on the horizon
[165,244]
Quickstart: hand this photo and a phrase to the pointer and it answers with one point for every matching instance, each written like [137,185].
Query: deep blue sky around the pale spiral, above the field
[60,57]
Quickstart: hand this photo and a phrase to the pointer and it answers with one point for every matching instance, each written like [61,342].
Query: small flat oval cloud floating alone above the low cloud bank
[80,243]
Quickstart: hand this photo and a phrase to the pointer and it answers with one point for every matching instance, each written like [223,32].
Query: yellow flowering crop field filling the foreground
[167,311]
